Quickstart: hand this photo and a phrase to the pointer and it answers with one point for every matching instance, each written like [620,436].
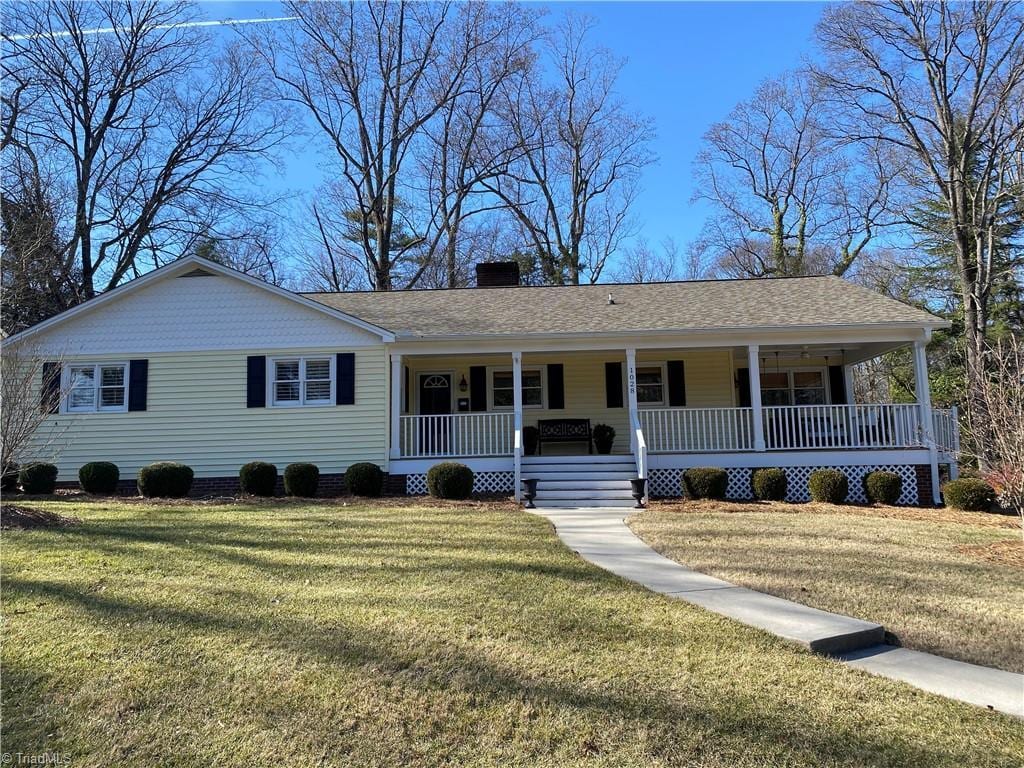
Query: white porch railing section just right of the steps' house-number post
[677,431]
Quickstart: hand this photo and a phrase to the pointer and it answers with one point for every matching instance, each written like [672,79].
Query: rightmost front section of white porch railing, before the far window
[860,426]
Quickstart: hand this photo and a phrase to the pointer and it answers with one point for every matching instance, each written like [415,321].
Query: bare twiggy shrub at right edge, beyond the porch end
[1002,391]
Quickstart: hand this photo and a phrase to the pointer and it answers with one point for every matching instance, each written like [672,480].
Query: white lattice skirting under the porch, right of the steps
[667,483]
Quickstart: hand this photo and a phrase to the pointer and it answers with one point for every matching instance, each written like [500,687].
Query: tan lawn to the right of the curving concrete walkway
[946,582]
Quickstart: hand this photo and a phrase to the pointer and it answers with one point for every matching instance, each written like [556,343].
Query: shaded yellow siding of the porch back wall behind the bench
[709,383]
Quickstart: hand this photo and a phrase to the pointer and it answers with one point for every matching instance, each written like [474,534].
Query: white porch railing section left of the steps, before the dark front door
[456,435]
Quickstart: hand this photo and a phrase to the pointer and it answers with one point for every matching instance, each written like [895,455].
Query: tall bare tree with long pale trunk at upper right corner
[945,84]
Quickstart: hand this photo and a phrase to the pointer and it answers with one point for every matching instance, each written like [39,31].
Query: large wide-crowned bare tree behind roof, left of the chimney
[397,89]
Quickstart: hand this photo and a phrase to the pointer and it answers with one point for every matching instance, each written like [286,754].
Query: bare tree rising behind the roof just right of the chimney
[582,155]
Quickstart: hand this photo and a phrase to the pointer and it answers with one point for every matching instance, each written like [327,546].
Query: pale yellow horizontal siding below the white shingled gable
[197,414]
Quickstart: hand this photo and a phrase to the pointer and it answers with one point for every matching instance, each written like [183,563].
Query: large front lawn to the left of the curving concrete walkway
[290,635]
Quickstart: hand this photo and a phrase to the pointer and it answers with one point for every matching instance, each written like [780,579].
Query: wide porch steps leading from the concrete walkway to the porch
[567,482]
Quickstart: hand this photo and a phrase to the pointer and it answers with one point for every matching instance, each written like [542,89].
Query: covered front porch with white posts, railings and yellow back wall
[671,407]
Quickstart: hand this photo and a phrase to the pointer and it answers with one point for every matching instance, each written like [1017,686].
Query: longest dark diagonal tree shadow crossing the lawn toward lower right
[443,665]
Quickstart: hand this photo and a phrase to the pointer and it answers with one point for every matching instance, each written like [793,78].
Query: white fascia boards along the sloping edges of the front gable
[181,266]
